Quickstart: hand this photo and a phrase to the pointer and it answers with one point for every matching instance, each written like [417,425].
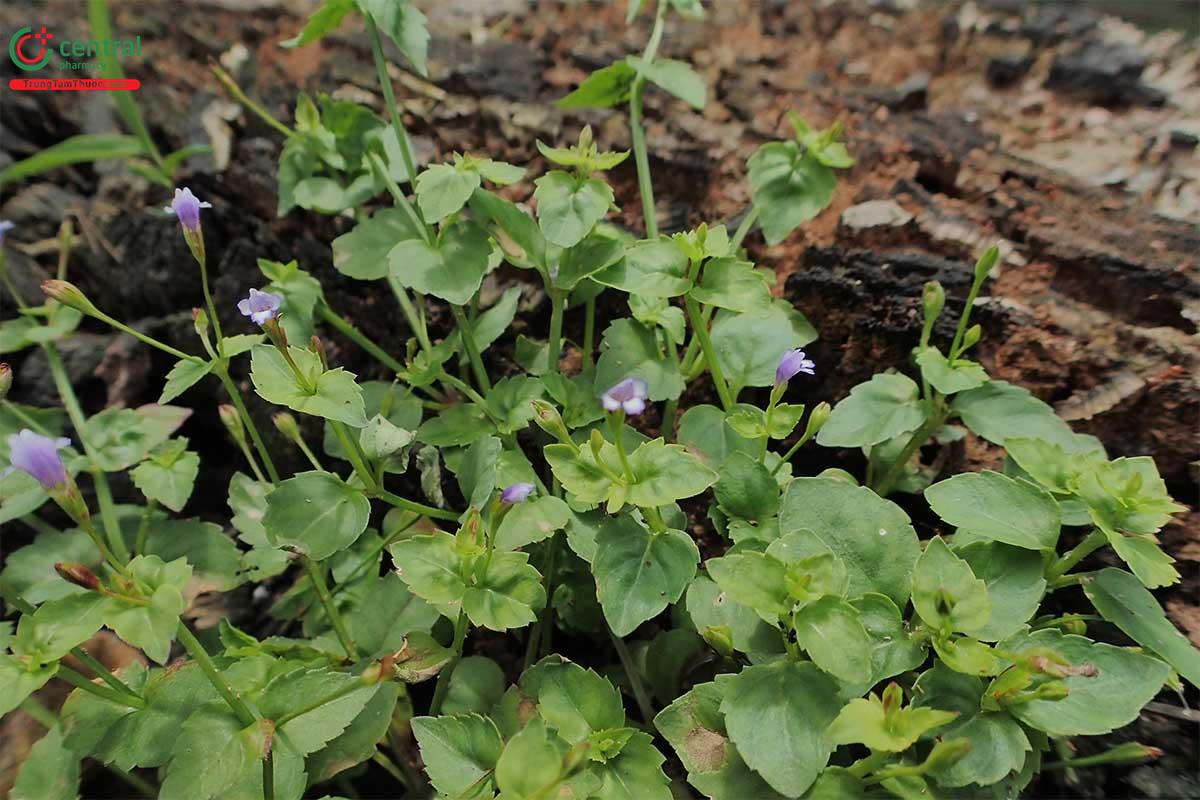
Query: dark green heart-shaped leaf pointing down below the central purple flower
[639,574]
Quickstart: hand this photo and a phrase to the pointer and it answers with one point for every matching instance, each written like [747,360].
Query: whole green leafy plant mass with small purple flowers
[819,649]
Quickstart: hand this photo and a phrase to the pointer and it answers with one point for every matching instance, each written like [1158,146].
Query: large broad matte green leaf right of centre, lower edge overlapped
[873,537]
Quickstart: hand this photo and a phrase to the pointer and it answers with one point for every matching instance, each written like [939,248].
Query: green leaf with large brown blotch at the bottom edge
[695,727]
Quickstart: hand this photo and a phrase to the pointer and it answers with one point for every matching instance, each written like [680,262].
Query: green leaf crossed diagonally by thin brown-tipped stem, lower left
[314,730]
